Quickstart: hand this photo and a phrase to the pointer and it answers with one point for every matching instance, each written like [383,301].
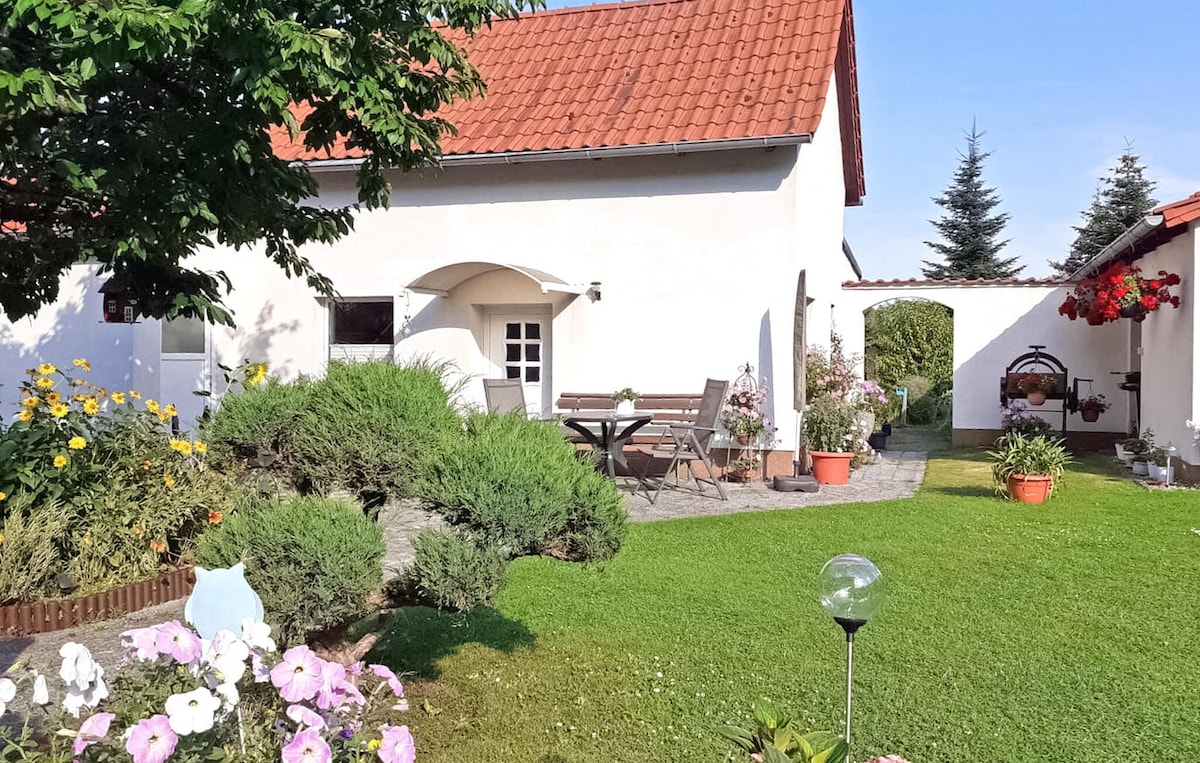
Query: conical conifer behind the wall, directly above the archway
[969,229]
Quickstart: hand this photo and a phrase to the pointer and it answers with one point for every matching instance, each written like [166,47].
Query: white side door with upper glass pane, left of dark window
[187,368]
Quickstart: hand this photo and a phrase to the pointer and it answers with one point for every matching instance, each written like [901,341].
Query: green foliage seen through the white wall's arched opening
[910,339]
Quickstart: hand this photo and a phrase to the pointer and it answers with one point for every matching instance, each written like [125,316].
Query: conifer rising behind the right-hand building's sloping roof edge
[1120,201]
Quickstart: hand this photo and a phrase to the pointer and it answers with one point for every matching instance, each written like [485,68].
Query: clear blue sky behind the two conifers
[1058,87]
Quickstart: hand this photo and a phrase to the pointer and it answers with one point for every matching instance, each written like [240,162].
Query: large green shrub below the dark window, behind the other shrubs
[370,428]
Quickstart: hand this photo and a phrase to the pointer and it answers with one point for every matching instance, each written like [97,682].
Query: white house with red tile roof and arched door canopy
[631,206]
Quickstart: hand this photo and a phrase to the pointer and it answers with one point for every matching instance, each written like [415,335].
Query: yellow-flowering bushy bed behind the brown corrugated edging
[134,497]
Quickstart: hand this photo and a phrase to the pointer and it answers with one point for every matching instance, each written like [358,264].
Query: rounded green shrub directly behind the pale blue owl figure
[315,562]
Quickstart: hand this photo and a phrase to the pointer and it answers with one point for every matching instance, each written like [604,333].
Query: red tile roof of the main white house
[653,73]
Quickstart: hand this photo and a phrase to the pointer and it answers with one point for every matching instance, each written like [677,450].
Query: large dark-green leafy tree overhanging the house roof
[135,134]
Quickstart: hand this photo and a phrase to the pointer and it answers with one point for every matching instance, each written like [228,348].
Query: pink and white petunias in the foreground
[191,699]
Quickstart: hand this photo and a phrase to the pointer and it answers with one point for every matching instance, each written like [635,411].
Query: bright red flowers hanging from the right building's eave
[1120,292]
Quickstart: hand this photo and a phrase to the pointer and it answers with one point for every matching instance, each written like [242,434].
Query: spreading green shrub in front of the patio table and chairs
[519,484]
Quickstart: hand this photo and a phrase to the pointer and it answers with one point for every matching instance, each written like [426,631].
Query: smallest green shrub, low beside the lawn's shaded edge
[457,570]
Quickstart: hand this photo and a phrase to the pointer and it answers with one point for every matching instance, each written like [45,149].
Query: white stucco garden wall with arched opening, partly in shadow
[994,325]
